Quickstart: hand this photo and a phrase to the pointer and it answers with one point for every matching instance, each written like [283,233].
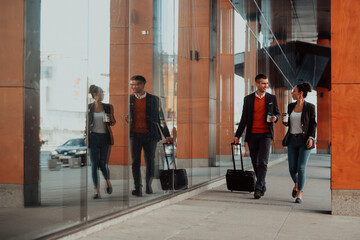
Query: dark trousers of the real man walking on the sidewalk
[259,146]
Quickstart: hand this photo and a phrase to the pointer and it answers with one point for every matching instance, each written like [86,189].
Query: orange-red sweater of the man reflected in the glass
[139,119]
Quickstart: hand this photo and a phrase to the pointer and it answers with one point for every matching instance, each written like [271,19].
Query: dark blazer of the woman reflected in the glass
[108,109]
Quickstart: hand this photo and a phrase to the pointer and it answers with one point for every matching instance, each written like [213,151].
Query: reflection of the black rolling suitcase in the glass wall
[172,179]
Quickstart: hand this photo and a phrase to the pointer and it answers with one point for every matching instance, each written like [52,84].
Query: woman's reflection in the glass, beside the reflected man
[100,118]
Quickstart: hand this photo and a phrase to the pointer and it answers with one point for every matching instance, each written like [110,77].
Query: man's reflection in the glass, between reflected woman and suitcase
[146,122]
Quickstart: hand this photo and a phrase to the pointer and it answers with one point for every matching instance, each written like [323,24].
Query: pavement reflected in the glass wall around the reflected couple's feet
[63,193]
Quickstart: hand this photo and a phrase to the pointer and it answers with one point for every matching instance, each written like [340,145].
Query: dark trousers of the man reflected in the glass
[138,142]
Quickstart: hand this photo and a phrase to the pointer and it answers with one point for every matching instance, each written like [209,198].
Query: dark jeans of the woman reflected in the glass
[99,149]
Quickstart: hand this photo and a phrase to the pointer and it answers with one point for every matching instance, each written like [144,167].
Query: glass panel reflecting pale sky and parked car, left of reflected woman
[63,161]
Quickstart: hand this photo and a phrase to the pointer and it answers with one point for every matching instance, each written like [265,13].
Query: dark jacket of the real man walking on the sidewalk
[247,116]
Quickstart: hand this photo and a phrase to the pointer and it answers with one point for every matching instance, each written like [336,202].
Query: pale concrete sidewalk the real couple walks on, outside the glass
[221,214]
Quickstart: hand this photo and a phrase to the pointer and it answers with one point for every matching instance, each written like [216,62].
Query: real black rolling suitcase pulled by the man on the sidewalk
[239,180]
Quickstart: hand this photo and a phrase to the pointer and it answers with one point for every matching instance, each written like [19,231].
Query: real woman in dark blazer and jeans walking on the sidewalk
[300,137]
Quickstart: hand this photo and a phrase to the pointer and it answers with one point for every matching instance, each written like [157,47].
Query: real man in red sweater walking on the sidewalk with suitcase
[260,112]
